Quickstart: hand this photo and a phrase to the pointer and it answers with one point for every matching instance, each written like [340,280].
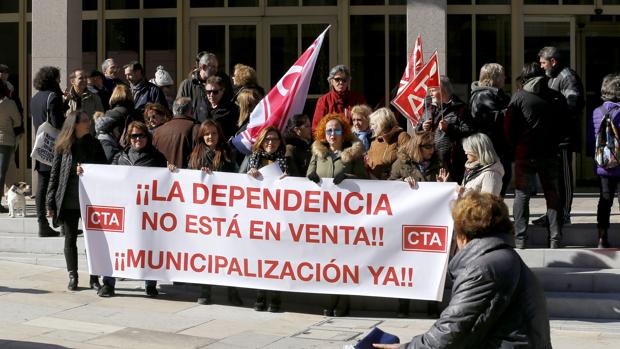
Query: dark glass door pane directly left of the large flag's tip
[283,50]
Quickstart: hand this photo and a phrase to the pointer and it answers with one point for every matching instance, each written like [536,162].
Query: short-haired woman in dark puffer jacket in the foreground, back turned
[497,301]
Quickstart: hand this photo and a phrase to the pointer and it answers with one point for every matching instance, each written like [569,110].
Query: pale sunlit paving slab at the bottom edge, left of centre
[140,338]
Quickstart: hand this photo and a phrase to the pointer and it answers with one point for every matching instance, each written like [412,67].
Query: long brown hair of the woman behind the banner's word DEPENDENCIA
[198,158]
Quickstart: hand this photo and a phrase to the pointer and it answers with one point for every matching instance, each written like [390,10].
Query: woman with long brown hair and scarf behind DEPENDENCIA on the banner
[211,153]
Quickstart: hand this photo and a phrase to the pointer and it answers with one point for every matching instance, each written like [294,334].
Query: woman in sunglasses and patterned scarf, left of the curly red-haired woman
[269,148]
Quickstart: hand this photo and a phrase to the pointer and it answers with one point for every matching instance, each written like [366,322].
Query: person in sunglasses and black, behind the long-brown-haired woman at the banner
[218,108]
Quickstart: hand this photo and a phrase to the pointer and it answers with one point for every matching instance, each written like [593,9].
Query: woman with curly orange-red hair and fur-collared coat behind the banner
[336,153]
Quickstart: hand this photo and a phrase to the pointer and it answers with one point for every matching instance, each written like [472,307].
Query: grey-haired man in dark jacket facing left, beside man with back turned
[566,81]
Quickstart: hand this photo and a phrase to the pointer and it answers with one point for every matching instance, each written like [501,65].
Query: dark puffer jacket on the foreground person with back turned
[496,302]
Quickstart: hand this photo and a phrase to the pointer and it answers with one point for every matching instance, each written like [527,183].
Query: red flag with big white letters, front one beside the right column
[410,101]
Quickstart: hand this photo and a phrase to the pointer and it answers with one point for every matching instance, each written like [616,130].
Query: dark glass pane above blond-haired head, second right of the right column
[493,42]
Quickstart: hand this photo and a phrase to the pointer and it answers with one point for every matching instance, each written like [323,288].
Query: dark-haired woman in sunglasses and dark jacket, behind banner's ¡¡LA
[139,152]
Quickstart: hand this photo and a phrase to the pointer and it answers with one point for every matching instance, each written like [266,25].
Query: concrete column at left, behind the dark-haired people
[57,36]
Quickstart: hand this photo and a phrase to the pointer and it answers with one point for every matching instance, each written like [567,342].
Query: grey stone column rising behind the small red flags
[429,19]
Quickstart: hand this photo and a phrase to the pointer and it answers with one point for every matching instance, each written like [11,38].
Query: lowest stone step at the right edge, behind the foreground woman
[583,305]
